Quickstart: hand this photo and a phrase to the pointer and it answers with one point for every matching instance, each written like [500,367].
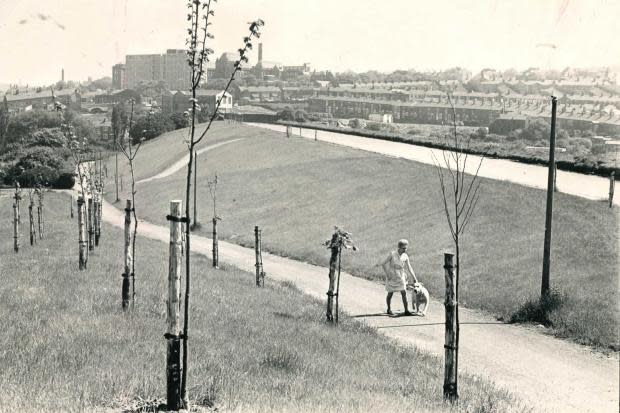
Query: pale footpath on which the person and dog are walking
[549,374]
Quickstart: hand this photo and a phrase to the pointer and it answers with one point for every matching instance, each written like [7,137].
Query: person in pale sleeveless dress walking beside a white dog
[395,266]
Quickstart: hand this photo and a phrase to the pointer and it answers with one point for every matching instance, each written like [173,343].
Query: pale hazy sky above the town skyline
[87,37]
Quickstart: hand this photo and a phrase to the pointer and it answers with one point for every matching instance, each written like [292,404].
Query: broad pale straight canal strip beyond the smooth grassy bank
[573,183]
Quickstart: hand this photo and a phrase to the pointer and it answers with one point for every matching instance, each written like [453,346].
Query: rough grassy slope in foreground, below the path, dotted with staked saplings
[67,346]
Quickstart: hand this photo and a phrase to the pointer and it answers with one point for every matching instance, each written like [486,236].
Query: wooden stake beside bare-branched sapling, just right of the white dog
[450,390]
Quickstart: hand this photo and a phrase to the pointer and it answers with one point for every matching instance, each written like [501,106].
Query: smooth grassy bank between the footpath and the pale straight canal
[297,190]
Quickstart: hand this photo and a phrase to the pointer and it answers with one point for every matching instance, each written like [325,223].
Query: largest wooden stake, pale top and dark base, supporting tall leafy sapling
[173,353]
